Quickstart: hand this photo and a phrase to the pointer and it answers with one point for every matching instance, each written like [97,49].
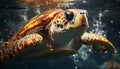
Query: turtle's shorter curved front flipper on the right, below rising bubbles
[98,42]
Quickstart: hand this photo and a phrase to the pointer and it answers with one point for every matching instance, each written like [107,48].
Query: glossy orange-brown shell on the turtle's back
[38,20]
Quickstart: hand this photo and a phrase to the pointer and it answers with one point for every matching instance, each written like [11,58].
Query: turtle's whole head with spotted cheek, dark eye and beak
[69,23]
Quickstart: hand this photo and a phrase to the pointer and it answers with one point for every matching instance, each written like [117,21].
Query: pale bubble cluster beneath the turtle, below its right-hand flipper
[83,54]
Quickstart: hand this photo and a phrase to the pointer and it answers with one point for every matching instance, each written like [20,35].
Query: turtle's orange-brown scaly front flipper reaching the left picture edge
[10,49]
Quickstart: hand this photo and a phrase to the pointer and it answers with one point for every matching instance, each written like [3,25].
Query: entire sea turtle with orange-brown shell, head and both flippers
[53,33]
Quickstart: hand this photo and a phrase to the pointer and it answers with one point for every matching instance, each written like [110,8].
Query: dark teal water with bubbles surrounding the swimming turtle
[104,17]
